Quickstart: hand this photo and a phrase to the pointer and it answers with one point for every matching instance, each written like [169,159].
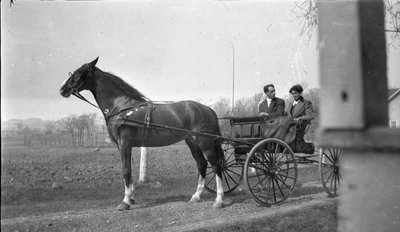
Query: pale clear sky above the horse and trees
[168,50]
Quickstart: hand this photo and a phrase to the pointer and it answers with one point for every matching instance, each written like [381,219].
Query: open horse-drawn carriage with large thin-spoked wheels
[268,165]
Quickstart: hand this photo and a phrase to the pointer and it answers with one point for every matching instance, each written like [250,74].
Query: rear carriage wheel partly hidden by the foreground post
[329,170]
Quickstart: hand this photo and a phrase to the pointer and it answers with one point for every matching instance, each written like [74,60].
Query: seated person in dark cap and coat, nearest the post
[301,111]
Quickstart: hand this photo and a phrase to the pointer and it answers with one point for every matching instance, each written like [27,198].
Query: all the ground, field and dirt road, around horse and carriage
[92,187]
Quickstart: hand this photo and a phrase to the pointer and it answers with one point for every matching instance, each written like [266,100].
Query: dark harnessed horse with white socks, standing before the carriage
[115,97]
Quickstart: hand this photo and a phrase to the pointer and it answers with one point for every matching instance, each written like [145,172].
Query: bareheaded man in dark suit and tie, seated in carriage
[271,107]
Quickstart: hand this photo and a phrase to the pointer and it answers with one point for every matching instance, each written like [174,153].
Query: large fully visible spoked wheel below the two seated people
[270,172]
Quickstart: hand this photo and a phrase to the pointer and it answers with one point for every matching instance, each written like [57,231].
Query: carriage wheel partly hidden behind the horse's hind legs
[232,171]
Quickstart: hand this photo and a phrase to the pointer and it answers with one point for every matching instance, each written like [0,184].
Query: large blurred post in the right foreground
[354,113]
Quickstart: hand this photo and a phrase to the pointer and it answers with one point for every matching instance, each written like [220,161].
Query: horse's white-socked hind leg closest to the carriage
[215,155]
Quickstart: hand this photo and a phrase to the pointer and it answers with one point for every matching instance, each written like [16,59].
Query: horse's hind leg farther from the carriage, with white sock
[201,166]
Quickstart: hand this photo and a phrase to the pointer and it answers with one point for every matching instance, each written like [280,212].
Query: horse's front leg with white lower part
[126,152]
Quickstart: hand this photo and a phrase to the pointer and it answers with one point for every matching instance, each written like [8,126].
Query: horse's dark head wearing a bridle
[76,82]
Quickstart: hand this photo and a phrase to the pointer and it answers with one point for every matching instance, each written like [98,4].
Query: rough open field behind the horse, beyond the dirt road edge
[91,180]
